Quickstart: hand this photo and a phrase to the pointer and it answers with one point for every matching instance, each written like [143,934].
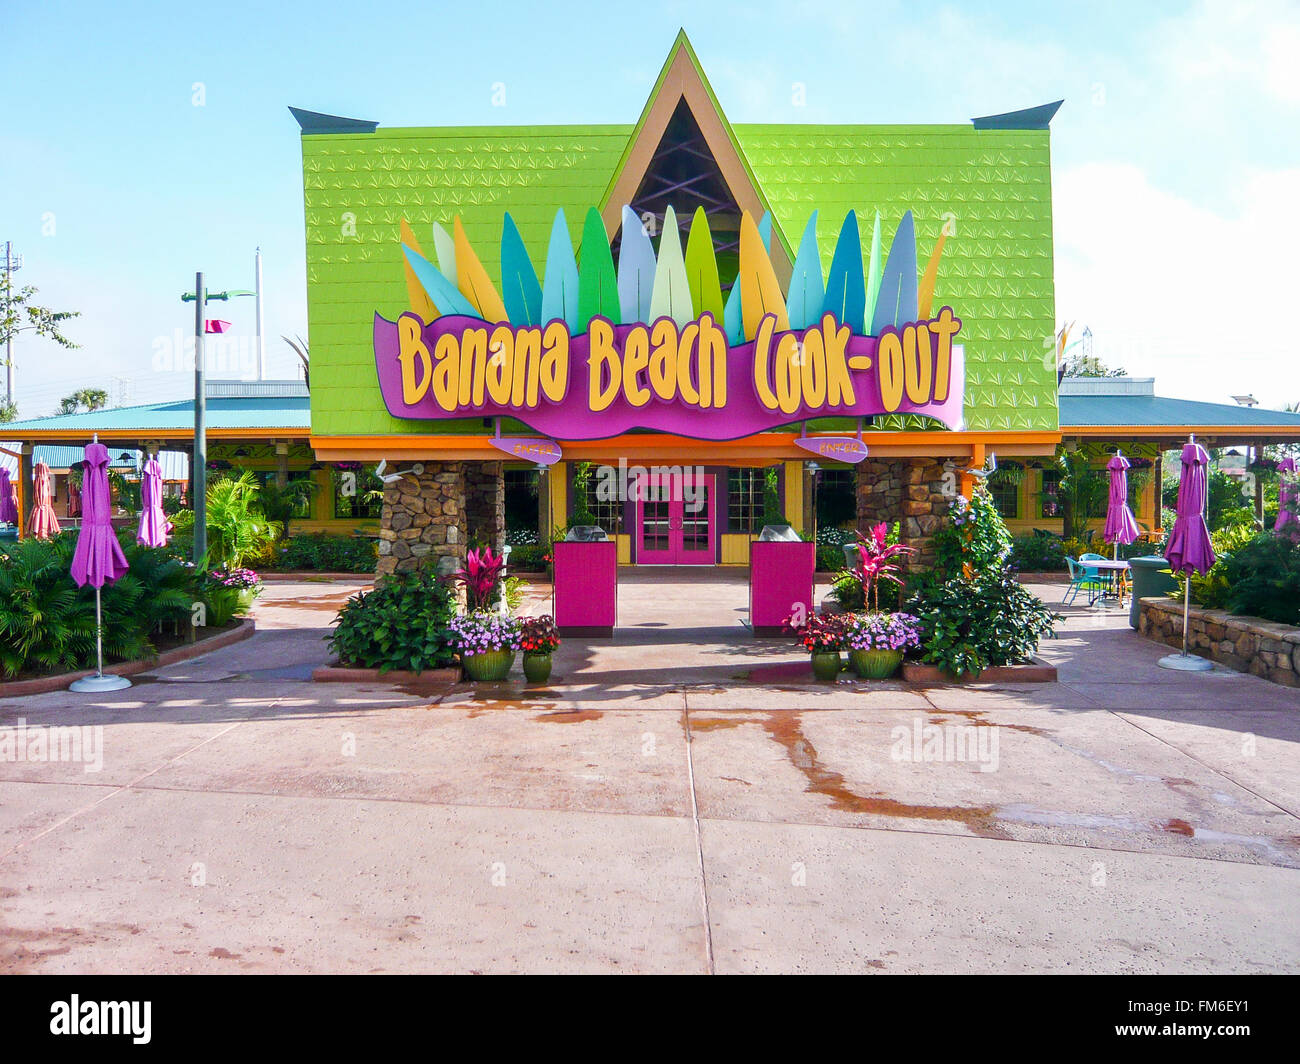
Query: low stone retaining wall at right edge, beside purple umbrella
[1245,643]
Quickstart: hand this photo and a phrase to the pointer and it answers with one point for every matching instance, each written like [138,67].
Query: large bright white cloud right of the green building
[1176,291]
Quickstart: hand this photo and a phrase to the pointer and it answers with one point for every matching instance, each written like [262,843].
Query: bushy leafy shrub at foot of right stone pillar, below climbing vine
[970,625]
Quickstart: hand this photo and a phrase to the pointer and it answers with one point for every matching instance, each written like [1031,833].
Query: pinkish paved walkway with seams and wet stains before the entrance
[678,801]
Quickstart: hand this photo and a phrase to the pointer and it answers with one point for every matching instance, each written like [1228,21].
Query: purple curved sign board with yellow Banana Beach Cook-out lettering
[666,378]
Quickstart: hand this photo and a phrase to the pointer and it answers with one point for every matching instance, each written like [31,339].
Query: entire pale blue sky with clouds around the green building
[144,142]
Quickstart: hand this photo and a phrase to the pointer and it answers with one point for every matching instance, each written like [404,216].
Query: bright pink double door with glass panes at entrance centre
[677,521]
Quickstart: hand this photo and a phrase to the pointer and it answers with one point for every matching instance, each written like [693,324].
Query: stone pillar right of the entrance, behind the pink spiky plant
[916,492]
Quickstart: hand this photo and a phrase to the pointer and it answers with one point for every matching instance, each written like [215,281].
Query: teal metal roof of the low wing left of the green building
[252,413]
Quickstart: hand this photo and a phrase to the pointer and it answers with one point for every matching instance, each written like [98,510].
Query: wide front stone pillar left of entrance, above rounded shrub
[424,520]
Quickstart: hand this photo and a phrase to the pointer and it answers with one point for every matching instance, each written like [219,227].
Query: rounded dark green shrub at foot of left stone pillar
[404,624]
